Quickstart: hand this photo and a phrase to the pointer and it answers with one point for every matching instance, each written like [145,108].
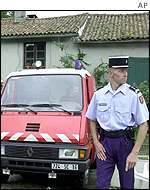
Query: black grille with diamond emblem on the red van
[40,152]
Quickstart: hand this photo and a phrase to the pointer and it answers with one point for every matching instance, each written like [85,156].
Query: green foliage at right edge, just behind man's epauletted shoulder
[144,88]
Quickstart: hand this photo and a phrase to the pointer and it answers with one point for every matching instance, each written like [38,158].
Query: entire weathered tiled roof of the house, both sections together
[98,27]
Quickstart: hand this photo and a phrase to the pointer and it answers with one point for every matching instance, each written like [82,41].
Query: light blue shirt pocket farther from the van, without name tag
[122,114]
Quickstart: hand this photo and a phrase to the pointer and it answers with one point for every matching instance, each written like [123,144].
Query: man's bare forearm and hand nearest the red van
[100,150]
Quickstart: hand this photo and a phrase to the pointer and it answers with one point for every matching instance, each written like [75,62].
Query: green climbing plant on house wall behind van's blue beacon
[67,59]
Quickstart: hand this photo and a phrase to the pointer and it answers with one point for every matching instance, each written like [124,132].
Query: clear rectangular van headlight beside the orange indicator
[68,153]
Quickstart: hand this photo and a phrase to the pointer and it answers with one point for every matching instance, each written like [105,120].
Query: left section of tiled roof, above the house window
[43,26]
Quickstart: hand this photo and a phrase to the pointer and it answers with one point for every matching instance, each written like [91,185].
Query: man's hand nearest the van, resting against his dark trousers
[100,151]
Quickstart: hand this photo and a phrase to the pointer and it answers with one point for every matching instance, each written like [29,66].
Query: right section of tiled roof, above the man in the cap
[109,27]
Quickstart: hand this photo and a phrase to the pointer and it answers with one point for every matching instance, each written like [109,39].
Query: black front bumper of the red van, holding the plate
[23,165]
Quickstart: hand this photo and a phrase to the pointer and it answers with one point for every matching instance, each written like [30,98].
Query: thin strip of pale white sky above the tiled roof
[46,14]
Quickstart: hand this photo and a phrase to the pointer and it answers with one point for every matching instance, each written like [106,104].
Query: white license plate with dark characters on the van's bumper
[58,166]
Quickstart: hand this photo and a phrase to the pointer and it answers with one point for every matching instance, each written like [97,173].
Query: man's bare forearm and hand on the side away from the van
[132,158]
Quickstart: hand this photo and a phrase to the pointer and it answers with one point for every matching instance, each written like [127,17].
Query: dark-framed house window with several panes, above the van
[34,52]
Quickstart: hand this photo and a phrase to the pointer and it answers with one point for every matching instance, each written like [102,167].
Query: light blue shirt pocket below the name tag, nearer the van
[103,113]
